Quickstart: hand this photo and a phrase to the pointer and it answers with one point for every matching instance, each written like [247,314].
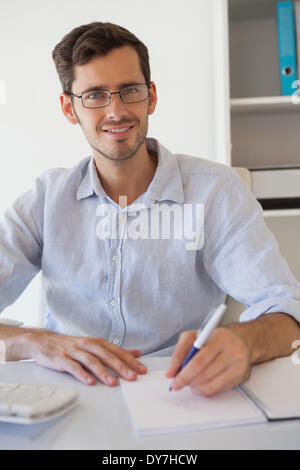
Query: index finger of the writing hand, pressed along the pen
[197,365]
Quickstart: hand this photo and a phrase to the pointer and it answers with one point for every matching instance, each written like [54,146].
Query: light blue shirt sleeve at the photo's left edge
[21,243]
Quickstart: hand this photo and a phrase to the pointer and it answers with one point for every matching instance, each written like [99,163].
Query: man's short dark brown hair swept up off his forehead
[85,42]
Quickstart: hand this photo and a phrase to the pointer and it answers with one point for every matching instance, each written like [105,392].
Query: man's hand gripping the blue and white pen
[222,363]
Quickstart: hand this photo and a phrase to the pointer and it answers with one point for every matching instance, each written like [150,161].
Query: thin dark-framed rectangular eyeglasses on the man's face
[100,98]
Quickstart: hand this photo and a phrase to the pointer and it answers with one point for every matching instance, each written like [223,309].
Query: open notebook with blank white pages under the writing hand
[272,392]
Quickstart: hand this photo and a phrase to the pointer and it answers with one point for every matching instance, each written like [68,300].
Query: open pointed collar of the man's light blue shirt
[166,183]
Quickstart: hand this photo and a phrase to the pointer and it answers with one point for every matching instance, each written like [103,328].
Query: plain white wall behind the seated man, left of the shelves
[34,135]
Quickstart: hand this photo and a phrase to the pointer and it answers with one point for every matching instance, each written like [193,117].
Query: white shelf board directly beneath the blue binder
[265,104]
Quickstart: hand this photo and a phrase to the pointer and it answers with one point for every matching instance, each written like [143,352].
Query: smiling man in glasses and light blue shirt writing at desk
[111,298]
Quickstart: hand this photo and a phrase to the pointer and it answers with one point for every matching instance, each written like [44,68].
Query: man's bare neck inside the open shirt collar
[129,178]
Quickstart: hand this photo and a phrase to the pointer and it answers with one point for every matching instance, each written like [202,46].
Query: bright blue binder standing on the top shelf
[287,46]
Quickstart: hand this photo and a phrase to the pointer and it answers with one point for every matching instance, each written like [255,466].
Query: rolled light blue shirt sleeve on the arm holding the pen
[242,256]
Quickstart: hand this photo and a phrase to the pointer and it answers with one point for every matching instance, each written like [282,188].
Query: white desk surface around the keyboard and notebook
[101,421]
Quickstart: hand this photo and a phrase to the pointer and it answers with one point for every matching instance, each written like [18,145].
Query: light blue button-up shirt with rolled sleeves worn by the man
[142,292]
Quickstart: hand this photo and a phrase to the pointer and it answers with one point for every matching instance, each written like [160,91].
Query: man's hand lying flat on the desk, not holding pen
[84,358]
